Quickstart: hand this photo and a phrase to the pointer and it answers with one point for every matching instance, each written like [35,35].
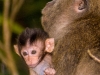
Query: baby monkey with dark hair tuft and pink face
[35,47]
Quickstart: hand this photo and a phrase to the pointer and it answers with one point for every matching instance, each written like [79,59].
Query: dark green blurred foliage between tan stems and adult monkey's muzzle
[30,13]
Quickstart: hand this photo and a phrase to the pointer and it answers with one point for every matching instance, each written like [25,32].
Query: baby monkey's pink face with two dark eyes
[32,53]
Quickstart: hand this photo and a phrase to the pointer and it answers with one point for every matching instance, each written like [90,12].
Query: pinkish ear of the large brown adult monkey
[80,5]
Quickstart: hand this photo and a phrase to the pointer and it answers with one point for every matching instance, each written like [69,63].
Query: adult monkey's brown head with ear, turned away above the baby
[58,14]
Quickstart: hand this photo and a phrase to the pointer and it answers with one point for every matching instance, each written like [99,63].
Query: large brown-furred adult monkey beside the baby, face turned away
[75,25]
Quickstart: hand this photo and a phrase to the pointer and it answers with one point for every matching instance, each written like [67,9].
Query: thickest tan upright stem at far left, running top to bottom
[7,39]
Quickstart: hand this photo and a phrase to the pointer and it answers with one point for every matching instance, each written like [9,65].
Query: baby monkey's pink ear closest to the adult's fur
[49,45]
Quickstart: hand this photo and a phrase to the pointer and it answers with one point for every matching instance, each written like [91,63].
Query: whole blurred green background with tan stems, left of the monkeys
[15,16]
